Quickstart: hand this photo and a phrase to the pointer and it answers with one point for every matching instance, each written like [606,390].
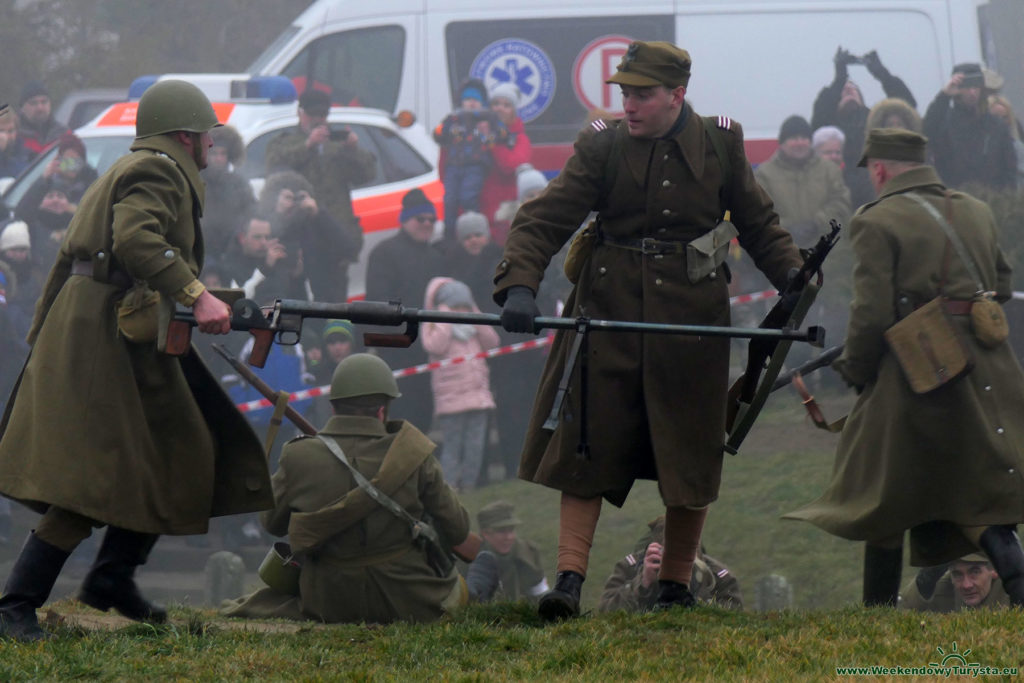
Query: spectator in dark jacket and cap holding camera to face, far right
[970,145]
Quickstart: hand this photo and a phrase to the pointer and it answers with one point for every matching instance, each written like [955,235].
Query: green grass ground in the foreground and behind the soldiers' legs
[785,463]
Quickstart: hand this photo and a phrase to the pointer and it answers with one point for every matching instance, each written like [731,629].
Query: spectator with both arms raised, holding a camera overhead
[842,105]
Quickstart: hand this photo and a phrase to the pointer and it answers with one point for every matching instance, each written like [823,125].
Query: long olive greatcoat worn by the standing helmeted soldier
[115,431]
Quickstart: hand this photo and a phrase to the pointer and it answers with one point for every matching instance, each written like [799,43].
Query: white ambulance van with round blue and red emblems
[755,61]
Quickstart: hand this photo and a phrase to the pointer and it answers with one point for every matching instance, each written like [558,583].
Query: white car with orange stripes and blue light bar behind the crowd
[407,156]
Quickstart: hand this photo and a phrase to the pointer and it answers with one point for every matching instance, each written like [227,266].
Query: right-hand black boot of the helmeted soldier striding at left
[111,582]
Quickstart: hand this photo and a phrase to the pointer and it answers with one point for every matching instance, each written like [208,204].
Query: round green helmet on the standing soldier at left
[170,106]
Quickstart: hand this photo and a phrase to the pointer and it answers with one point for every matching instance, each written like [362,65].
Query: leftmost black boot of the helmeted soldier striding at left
[29,585]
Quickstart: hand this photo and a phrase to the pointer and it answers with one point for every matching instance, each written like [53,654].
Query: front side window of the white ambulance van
[360,68]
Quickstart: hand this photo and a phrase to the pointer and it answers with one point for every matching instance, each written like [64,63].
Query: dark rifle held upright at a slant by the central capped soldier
[749,394]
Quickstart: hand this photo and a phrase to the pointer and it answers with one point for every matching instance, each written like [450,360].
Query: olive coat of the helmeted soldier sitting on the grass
[359,562]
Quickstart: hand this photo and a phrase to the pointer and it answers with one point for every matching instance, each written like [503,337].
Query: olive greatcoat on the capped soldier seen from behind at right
[953,457]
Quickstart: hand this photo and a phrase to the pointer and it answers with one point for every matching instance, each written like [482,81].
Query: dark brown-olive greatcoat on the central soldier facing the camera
[657,404]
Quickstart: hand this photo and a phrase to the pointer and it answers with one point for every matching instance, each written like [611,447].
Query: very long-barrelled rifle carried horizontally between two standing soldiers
[283,323]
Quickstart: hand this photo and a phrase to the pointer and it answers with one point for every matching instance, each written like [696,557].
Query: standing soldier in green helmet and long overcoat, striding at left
[103,429]
